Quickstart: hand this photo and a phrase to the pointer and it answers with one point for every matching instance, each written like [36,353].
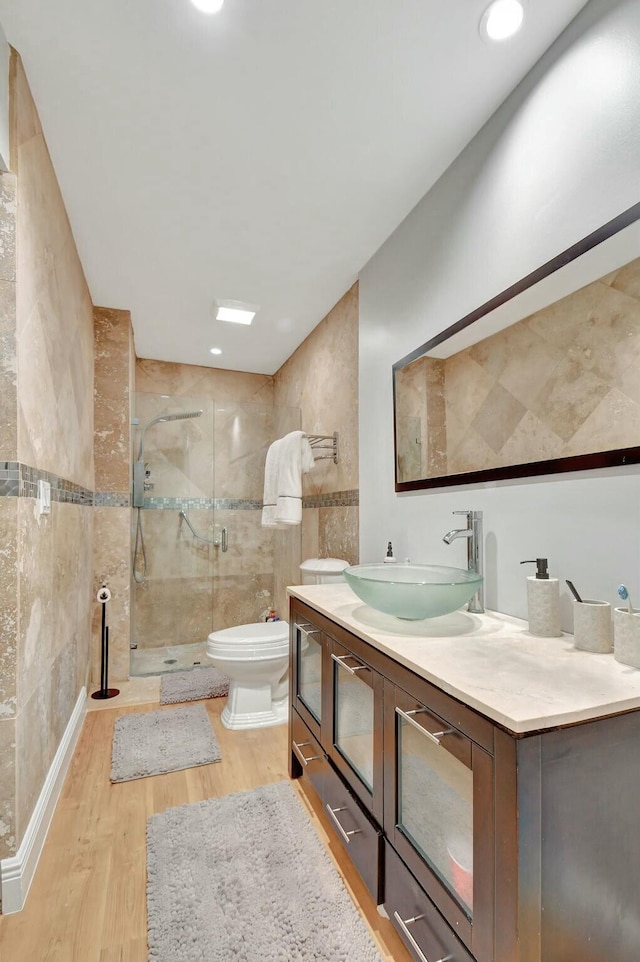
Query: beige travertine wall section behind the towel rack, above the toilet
[321,378]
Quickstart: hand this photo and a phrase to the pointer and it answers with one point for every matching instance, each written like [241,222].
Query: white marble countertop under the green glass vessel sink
[490,662]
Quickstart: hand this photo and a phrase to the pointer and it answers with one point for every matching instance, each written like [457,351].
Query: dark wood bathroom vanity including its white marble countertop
[483,782]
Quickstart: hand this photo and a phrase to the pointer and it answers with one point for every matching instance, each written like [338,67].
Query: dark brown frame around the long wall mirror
[599,459]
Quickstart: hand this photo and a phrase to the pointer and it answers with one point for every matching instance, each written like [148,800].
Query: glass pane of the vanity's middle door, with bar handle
[353,705]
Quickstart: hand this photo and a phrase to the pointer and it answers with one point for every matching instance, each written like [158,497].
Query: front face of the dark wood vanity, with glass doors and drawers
[400,766]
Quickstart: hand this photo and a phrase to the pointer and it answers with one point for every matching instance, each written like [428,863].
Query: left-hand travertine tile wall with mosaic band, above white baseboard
[47,431]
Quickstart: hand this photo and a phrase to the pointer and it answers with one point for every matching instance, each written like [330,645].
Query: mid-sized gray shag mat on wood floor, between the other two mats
[156,742]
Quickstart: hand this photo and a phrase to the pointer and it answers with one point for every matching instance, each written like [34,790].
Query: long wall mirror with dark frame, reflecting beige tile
[543,378]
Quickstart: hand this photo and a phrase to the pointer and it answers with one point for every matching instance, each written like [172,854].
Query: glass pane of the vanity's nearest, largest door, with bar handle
[435,798]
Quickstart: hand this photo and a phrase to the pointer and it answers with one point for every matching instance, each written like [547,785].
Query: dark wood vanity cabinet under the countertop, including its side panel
[483,845]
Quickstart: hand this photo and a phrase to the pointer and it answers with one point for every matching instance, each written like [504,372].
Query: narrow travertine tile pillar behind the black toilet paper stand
[113,398]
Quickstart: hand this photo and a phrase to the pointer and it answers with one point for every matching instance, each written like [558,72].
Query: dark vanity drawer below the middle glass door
[360,837]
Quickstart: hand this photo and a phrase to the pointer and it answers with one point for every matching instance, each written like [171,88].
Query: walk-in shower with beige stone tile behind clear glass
[202,560]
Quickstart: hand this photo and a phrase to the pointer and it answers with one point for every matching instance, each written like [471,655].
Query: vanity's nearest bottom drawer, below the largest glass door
[424,931]
